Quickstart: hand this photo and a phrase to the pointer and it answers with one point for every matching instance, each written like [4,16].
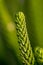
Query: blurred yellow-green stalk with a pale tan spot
[9,32]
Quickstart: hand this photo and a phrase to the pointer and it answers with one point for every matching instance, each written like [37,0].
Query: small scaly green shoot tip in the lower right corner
[39,55]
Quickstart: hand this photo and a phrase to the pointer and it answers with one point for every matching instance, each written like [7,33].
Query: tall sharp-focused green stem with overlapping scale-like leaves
[23,40]
